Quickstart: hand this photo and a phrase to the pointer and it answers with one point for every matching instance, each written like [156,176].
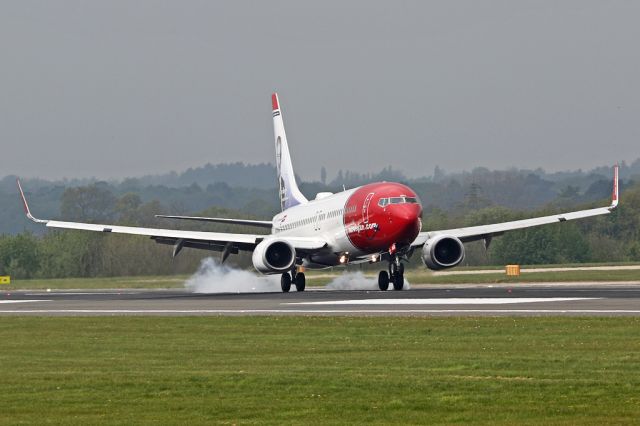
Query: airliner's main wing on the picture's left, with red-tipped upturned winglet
[217,241]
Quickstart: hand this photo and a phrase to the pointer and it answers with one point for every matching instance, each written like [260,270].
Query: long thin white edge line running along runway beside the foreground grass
[320,311]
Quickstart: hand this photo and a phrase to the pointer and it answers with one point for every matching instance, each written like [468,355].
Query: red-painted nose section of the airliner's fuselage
[373,228]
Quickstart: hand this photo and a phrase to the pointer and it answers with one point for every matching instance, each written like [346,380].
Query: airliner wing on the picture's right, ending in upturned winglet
[486,232]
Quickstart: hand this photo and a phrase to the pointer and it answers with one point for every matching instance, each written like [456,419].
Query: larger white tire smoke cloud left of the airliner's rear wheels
[212,277]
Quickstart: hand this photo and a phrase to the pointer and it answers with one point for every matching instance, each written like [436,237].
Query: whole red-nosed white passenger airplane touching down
[377,222]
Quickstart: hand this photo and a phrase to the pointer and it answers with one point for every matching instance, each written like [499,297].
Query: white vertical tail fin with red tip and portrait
[290,195]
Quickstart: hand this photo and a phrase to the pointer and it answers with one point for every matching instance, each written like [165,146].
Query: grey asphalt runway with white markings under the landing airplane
[605,299]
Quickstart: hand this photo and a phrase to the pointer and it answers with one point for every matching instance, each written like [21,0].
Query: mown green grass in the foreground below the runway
[301,370]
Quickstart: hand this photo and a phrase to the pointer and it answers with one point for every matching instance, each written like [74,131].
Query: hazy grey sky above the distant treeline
[125,88]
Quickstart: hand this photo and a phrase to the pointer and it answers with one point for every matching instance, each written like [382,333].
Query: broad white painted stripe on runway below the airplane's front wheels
[449,301]
